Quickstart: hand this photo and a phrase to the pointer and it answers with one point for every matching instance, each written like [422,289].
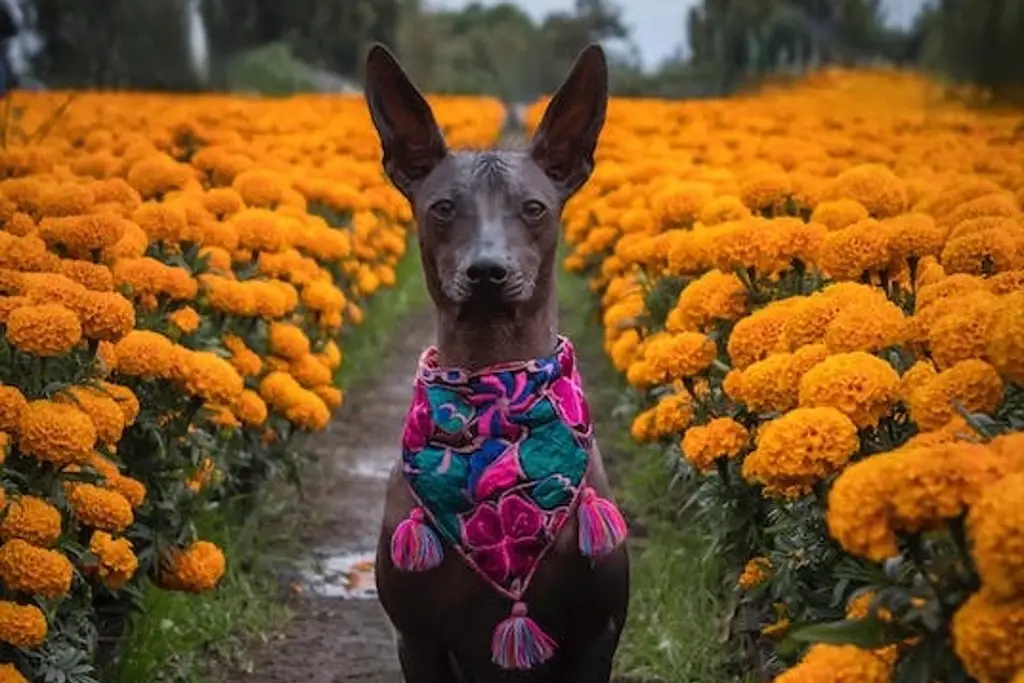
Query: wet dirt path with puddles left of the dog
[339,633]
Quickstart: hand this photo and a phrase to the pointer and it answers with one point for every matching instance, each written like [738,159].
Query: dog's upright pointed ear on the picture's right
[565,143]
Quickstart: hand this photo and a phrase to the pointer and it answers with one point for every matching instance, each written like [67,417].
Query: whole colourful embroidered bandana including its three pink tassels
[497,460]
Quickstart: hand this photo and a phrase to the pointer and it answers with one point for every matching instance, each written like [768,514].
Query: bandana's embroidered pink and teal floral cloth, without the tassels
[497,458]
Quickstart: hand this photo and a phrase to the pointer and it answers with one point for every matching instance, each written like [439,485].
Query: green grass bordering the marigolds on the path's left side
[178,636]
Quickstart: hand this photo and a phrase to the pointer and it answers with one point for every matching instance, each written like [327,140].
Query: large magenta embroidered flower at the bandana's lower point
[505,540]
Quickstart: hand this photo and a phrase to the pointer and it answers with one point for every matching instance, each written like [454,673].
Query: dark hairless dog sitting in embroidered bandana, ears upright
[502,554]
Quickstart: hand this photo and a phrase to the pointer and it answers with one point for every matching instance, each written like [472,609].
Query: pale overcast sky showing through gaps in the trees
[659,25]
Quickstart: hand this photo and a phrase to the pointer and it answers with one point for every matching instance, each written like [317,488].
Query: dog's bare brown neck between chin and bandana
[475,346]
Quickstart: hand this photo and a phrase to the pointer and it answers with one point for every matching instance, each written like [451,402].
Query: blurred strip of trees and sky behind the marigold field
[514,51]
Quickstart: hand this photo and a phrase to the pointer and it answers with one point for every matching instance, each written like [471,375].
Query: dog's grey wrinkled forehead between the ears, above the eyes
[492,176]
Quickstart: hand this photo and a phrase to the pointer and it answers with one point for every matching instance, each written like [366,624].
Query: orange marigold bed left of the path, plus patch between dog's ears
[176,277]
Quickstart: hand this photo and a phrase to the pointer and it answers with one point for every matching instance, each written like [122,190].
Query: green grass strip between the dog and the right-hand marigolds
[677,605]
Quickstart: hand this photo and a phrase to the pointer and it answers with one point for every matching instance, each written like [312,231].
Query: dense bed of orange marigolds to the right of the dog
[819,296]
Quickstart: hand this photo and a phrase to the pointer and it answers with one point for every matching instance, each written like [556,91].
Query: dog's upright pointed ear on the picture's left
[412,142]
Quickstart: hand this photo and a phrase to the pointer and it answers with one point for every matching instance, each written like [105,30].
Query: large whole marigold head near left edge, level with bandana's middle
[57,434]
